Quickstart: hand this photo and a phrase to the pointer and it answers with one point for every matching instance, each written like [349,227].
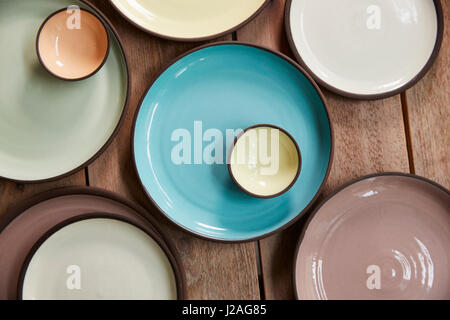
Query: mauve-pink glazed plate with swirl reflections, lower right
[381,237]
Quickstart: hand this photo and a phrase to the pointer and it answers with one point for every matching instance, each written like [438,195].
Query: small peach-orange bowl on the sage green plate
[72,44]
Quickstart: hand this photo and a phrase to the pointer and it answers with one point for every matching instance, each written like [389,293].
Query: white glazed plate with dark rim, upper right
[363,48]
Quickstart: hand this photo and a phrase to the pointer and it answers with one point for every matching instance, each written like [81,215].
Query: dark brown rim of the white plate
[374,96]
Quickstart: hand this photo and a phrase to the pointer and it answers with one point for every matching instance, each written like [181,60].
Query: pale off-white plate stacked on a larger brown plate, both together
[86,243]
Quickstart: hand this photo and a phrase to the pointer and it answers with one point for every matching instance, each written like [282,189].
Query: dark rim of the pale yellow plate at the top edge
[191,39]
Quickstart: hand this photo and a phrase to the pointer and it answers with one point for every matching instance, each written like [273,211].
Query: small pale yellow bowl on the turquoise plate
[265,161]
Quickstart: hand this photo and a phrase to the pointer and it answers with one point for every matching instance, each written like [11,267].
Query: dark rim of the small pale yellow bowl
[295,178]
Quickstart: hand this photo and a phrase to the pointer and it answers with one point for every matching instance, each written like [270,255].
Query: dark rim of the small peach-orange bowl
[105,58]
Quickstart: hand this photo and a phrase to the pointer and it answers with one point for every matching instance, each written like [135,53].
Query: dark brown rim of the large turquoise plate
[330,160]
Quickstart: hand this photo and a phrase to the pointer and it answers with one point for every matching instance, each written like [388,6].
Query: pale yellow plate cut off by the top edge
[189,20]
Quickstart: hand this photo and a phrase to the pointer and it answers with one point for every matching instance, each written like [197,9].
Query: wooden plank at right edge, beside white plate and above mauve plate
[428,108]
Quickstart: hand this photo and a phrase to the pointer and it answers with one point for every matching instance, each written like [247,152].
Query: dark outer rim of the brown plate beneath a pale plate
[32,201]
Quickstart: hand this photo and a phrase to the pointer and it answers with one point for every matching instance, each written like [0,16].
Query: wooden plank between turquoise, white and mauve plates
[369,137]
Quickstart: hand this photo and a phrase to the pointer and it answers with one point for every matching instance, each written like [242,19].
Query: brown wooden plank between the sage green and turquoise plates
[214,270]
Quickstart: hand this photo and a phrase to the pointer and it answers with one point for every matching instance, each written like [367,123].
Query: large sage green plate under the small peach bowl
[50,127]
